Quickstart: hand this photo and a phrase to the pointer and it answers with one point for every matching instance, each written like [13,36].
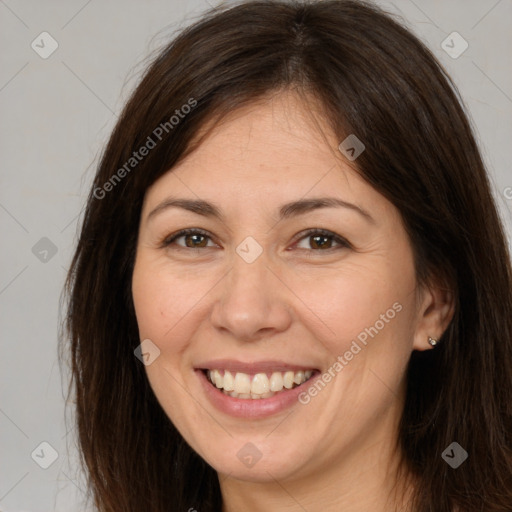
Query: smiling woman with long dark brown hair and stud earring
[292,289]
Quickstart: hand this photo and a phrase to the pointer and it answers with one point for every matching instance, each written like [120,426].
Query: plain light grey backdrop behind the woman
[57,113]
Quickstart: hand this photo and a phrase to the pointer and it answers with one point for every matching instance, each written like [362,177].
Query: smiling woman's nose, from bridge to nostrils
[252,302]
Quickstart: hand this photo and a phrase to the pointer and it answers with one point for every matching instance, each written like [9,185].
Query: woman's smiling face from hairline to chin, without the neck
[273,286]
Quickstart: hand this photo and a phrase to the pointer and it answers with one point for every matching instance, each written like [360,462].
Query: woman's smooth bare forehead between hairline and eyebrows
[272,151]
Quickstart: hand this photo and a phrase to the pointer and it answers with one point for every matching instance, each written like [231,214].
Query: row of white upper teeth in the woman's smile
[242,385]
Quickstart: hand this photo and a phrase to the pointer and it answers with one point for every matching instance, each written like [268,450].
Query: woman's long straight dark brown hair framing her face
[372,78]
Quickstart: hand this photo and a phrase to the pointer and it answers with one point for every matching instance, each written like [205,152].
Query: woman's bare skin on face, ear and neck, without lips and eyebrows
[296,302]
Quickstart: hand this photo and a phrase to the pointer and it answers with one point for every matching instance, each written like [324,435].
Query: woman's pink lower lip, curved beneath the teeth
[252,408]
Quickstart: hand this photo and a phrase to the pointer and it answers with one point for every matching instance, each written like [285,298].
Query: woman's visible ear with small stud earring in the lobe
[436,307]
